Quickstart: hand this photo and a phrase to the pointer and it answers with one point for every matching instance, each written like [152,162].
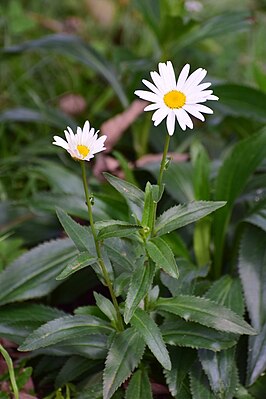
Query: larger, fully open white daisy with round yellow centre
[177,99]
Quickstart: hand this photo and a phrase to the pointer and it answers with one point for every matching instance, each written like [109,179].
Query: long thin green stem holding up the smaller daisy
[97,246]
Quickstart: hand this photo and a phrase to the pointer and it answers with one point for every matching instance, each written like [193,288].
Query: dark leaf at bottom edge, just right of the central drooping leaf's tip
[182,360]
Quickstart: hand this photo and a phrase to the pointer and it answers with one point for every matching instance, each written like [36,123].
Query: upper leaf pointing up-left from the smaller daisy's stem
[81,236]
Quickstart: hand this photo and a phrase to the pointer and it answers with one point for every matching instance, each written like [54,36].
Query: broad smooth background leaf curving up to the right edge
[232,178]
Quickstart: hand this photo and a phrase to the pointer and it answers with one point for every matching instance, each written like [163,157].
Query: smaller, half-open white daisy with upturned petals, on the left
[82,145]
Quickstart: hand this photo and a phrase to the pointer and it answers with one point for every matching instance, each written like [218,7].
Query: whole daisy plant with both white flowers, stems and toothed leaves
[128,256]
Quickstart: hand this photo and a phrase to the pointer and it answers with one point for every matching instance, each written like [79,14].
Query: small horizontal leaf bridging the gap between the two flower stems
[115,228]
